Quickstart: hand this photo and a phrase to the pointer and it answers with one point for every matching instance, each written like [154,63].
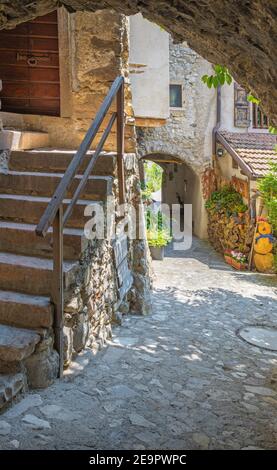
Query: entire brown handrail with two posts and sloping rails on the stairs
[53,214]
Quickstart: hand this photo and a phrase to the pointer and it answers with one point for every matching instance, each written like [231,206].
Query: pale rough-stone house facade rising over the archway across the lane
[187,136]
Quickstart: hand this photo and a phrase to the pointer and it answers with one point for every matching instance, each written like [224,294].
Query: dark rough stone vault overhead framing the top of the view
[241,35]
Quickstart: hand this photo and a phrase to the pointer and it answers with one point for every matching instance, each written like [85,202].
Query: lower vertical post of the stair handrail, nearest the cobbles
[57,288]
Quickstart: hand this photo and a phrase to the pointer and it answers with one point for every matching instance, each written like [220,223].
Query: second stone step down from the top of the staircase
[44,184]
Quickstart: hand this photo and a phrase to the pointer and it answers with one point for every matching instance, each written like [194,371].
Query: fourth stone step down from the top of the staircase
[22,239]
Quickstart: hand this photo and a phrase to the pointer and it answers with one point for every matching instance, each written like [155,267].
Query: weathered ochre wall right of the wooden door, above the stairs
[94,50]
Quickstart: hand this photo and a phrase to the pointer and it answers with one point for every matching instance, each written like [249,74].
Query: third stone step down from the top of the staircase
[29,209]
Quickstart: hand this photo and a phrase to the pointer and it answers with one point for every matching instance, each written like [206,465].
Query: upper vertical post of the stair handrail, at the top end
[120,143]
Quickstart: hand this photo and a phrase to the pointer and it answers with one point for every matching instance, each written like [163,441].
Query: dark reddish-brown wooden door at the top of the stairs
[29,67]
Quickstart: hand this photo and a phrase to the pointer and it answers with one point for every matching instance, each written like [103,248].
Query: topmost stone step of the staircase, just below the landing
[57,161]
